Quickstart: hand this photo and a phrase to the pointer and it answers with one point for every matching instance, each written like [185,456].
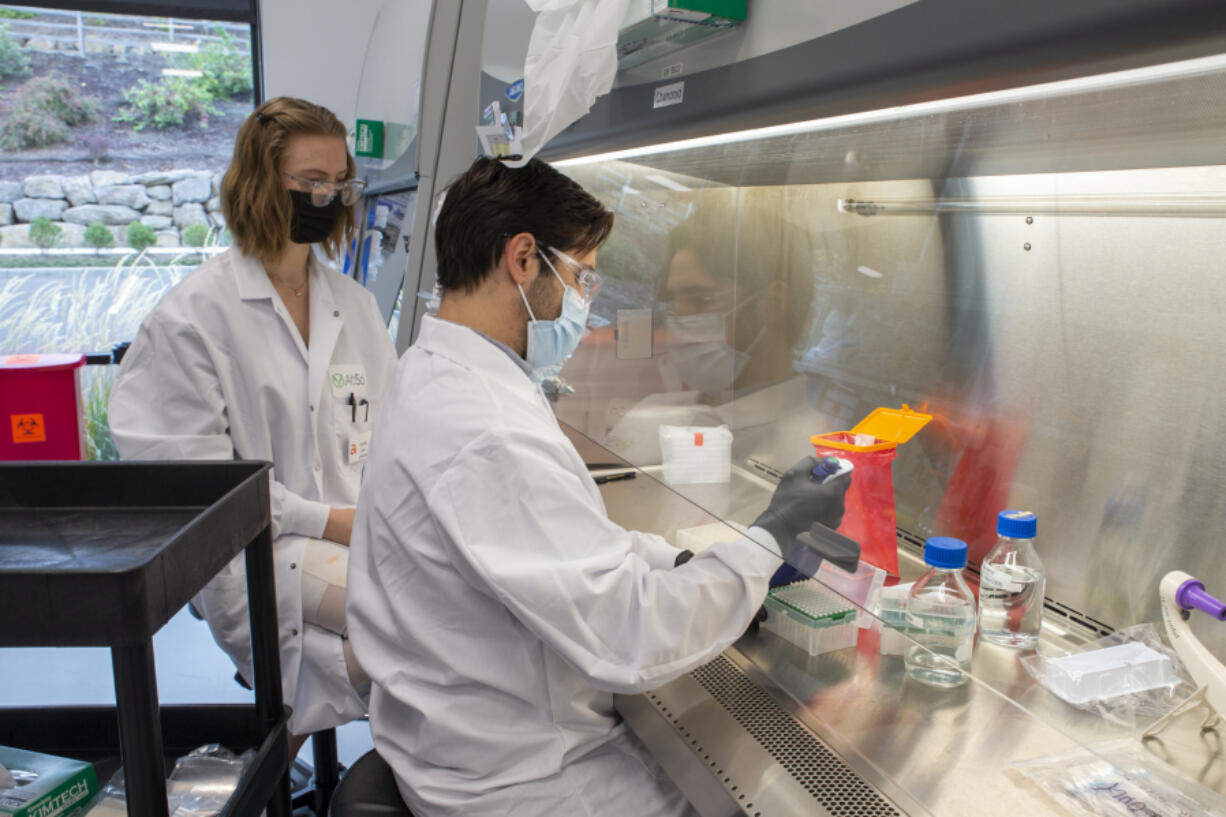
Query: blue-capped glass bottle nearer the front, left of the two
[941,618]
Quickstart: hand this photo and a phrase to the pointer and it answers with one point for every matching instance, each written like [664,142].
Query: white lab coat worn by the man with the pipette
[497,608]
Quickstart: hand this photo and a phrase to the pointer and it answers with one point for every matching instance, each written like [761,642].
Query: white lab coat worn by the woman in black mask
[219,371]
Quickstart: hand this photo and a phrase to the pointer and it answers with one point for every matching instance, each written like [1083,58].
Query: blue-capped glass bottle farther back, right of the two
[1012,585]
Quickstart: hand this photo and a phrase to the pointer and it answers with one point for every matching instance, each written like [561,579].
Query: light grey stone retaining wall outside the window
[166,201]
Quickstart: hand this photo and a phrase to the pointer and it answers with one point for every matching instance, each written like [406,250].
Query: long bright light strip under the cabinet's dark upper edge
[1117,79]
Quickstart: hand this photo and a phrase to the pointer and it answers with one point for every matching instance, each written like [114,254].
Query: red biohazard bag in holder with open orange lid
[871,448]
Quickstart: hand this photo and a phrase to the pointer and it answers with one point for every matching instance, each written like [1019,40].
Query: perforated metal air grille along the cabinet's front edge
[812,764]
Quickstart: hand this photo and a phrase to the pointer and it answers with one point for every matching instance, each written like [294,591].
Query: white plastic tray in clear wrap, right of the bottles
[1109,673]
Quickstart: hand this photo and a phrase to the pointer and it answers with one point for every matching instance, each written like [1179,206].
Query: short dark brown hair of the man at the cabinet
[492,203]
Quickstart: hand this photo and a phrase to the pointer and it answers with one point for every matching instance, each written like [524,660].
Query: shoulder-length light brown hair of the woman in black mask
[256,201]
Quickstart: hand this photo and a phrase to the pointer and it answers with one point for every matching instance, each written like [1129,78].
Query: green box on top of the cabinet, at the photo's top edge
[653,29]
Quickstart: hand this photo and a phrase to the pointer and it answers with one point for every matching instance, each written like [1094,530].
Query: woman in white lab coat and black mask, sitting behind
[265,354]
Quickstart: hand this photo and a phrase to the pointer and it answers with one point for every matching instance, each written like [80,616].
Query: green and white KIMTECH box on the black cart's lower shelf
[46,786]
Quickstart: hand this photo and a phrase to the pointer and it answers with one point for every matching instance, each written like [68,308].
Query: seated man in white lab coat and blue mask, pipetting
[492,602]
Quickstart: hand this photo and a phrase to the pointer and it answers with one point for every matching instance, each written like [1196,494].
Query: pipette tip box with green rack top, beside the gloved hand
[812,618]
